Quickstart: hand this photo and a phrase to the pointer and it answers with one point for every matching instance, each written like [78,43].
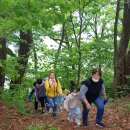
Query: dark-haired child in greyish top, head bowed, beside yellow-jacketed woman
[41,93]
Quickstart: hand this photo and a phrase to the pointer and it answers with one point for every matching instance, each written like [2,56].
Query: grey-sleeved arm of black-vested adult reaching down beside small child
[82,94]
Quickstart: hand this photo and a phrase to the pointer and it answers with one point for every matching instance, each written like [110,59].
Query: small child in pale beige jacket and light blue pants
[71,104]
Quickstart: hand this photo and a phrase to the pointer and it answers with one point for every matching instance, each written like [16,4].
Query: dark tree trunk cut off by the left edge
[3,52]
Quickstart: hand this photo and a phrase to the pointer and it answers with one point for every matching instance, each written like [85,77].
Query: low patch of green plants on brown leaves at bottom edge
[40,127]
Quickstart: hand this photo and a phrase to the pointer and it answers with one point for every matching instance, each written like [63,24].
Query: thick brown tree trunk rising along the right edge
[122,51]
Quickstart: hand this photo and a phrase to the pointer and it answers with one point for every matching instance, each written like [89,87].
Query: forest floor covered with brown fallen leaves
[116,117]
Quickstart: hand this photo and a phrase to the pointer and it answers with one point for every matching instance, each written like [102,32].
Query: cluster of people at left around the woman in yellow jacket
[48,93]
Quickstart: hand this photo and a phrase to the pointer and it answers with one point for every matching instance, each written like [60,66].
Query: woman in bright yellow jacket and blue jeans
[53,88]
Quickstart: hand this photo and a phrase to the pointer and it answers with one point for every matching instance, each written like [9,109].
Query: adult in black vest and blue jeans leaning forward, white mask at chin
[90,92]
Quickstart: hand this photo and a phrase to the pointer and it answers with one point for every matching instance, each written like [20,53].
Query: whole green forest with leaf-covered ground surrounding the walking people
[71,38]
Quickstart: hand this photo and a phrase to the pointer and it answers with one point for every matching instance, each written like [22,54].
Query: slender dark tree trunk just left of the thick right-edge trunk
[115,47]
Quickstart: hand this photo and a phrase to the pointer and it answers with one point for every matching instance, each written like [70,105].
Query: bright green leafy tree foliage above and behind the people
[46,19]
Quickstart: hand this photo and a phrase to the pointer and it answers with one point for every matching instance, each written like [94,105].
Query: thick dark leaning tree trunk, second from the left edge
[24,48]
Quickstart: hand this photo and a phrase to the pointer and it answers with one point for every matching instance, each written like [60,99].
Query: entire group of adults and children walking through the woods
[91,91]
